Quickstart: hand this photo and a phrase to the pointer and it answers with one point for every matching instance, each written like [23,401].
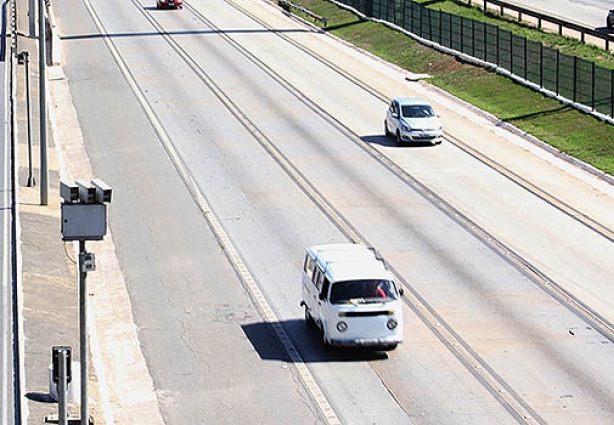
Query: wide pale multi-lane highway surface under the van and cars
[234,137]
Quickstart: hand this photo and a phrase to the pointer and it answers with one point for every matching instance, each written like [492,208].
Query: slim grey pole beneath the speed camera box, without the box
[83,335]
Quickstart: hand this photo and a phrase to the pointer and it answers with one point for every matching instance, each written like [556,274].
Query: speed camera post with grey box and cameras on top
[84,218]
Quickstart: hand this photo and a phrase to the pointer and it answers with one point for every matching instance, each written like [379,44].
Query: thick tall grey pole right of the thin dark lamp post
[42,61]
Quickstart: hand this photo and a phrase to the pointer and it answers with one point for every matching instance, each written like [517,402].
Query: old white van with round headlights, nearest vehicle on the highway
[351,296]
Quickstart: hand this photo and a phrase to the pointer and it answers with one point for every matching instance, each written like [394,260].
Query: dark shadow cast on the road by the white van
[307,341]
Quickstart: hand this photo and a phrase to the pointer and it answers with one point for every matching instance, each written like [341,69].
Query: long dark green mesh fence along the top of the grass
[571,77]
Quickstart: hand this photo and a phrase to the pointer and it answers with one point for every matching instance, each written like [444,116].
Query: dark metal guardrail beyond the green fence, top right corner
[583,30]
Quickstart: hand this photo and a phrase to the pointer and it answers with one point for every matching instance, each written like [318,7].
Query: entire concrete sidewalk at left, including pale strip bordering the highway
[50,283]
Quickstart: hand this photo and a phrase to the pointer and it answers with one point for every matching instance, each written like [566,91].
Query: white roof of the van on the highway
[348,261]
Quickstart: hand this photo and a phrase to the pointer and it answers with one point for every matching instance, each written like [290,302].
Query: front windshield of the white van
[362,291]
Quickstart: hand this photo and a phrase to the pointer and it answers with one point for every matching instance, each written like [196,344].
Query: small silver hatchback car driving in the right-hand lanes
[412,120]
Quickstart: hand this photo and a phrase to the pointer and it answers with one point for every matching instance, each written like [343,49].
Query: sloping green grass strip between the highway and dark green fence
[571,131]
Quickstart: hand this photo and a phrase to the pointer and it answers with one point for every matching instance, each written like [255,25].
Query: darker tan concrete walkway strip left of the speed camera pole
[49,271]
